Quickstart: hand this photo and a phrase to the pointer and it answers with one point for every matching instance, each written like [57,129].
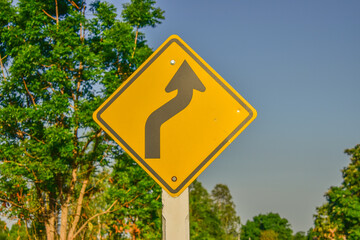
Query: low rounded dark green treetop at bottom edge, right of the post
[263,222]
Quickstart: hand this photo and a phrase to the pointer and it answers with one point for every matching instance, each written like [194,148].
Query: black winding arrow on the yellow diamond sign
[185,81]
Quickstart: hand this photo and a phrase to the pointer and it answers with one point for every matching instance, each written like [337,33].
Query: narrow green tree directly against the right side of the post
[204,219]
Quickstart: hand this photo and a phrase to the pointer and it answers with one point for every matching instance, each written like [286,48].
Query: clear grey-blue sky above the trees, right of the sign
[298,64]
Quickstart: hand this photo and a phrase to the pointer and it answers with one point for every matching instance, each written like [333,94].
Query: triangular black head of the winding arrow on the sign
[185,79]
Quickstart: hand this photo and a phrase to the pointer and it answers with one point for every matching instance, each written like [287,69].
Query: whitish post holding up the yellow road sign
[175,216]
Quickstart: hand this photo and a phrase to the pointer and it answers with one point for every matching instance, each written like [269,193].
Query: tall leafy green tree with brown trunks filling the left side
[59,60]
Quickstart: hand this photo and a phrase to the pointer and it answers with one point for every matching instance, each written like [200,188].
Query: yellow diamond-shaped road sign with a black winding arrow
[174,115]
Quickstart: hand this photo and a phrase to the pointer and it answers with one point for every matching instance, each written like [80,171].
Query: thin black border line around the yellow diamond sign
[207,159]
